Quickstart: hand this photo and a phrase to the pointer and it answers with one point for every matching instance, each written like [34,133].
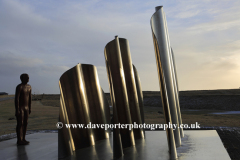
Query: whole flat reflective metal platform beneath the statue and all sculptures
[196,145]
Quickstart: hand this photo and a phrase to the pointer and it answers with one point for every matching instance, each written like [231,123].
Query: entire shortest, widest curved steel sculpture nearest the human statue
[81,102]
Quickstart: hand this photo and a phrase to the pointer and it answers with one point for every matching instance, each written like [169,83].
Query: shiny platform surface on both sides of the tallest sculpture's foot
[196,145]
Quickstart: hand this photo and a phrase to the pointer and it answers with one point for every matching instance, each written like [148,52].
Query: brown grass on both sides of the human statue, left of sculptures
[42,117]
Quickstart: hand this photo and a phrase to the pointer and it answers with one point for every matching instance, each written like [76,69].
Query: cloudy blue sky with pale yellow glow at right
[46,38]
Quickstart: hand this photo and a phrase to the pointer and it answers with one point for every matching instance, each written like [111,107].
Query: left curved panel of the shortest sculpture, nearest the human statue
[75,104]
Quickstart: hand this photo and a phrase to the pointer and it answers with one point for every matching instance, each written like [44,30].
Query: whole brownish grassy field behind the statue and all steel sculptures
[45,115]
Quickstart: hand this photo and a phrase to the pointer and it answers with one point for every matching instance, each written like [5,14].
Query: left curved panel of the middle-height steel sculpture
[119,96]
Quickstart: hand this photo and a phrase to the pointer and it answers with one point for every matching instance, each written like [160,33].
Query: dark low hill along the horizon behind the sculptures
[222,99]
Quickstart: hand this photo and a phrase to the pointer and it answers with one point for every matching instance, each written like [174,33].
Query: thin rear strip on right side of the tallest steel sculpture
[176,92]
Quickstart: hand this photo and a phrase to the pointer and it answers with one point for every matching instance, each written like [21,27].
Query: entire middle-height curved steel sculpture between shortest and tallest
[126,94]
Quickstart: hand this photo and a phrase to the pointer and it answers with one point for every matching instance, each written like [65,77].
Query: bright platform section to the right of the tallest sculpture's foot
[203,144]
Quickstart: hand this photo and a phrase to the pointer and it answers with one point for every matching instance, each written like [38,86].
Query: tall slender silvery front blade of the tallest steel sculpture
[165,72]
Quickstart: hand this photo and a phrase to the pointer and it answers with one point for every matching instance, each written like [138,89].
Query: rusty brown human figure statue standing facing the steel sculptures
[23,100]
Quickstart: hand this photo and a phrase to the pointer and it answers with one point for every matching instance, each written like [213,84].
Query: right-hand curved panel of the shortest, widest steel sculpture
[95,100]
